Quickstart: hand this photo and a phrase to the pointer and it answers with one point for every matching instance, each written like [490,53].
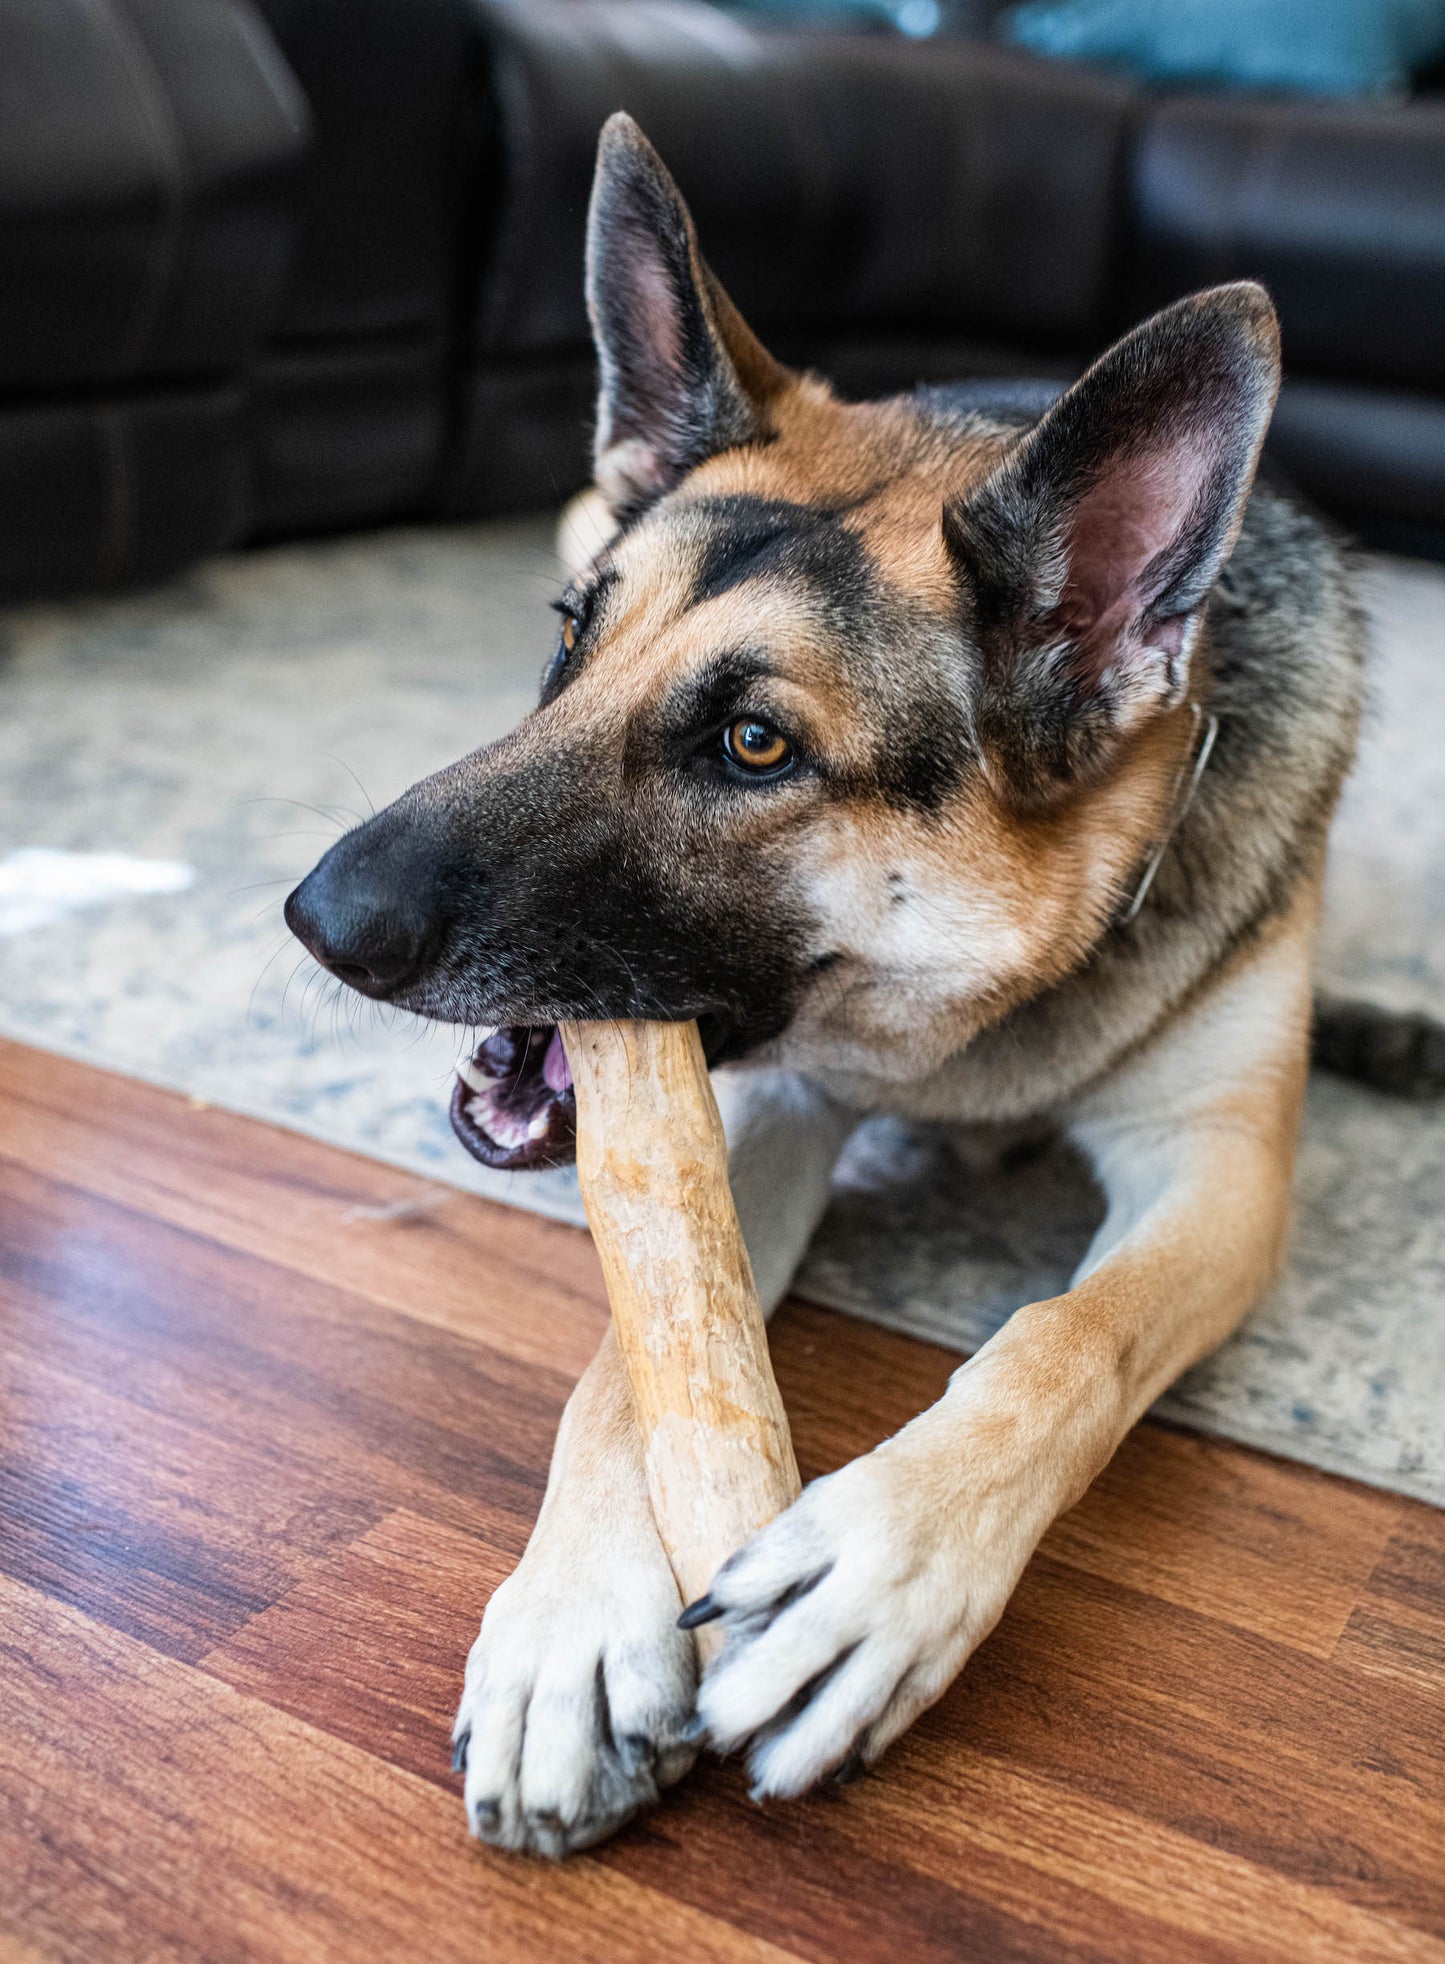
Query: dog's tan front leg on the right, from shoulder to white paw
[857,1608]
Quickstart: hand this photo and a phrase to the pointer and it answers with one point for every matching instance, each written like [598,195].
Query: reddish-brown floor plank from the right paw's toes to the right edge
[1248,1747]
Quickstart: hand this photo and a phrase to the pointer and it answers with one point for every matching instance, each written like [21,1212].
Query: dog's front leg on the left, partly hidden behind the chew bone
[580,1686]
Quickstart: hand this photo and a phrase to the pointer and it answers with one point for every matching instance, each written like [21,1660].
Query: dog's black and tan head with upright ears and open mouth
[861,720]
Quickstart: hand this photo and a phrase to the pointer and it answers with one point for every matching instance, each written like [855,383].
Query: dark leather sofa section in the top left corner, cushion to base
[148,166]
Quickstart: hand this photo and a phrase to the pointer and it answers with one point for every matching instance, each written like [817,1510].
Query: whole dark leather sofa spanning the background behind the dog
[280,266]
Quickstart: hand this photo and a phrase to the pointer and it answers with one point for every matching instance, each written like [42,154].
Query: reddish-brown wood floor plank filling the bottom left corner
[152,1812]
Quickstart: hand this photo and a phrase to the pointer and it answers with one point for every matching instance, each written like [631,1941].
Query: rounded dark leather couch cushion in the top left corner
[146,168]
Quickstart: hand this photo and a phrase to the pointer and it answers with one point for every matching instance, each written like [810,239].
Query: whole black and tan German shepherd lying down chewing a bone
[941,761]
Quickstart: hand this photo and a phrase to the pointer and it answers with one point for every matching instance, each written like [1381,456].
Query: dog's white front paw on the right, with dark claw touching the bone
[845,1619]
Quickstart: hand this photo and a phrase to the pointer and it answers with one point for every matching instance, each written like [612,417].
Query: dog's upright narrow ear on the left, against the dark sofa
[682,376]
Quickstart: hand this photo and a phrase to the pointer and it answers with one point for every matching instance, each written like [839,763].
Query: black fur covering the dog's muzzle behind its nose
[574,889]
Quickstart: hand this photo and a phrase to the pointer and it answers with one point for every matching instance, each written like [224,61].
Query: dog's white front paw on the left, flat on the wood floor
[578,1700]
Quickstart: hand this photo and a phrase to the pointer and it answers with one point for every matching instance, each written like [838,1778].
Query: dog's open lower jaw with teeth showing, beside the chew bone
[513,1105]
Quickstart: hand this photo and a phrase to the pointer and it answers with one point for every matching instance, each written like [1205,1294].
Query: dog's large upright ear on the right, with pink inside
[1087,557]
